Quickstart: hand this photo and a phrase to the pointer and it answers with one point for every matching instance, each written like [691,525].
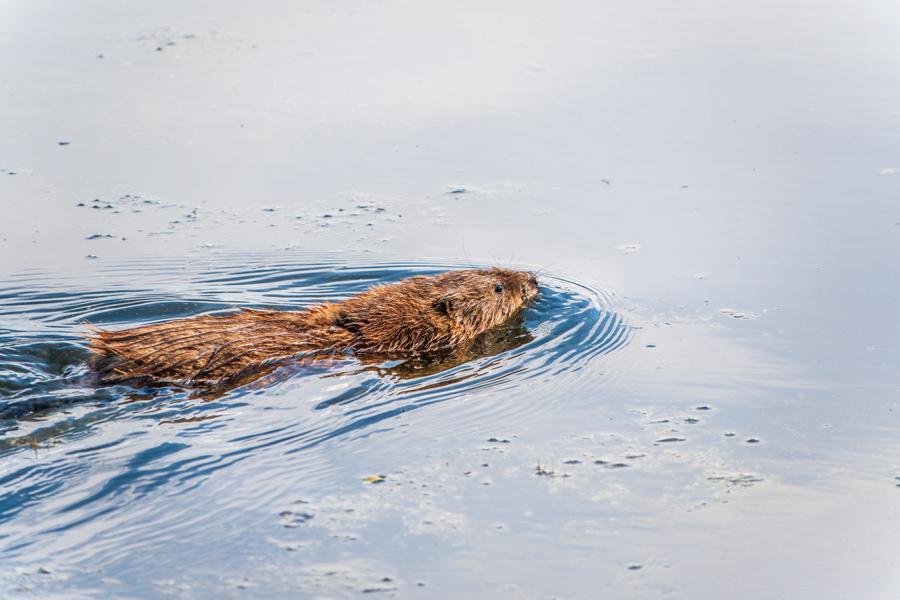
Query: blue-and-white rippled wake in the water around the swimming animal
[137,445]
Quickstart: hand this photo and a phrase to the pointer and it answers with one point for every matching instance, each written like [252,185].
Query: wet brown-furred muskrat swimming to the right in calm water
[416,316]
